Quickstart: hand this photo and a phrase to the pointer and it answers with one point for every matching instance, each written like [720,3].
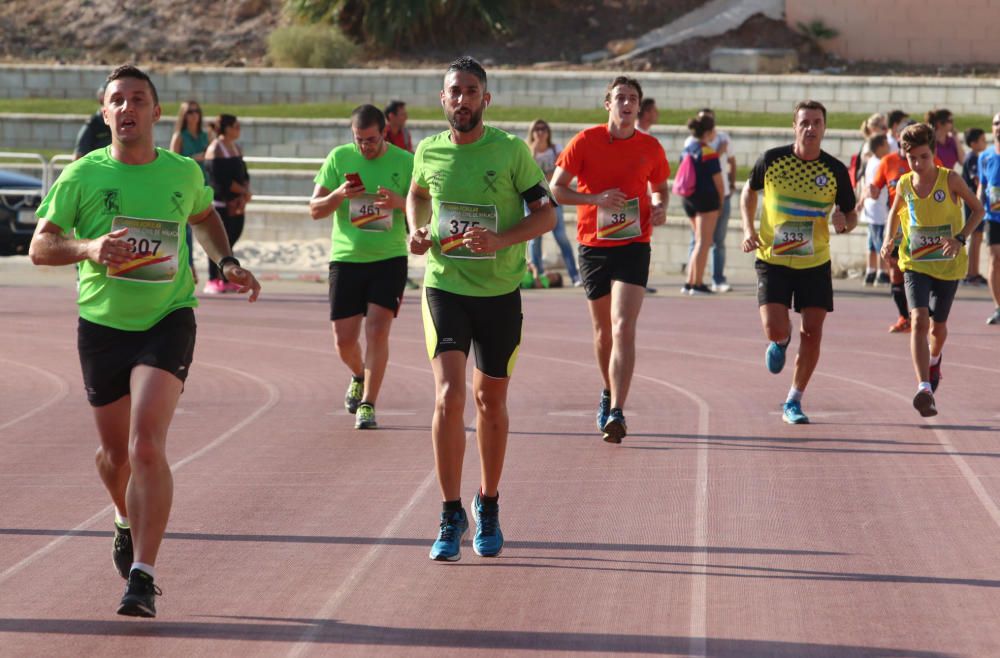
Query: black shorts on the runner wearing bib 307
[107,355]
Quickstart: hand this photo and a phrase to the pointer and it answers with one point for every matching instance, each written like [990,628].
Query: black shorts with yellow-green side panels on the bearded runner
[492,325]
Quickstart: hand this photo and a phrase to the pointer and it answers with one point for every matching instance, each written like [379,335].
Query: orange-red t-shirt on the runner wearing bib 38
[600,164]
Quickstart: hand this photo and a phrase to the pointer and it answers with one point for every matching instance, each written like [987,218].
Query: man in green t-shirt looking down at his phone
[367,250]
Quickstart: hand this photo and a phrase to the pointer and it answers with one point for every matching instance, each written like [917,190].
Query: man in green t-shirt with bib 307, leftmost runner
[128,205]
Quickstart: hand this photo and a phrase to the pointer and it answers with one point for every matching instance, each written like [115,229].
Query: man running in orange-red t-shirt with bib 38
[622,193]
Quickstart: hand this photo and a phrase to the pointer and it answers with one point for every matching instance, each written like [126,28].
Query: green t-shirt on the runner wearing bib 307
[88,196]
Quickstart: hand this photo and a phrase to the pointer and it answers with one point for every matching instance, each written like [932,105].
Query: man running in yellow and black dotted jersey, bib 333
[801,186]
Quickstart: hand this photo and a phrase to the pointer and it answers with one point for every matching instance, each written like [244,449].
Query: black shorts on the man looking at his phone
[355,285]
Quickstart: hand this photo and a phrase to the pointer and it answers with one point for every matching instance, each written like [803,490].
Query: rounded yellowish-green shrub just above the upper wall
[310,47]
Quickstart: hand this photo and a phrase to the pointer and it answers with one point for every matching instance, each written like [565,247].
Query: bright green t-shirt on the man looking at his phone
[363,233]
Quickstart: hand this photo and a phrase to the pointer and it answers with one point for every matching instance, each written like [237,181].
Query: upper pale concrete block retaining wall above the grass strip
[526,88]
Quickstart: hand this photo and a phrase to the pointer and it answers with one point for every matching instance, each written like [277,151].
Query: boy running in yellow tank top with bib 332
[932,255]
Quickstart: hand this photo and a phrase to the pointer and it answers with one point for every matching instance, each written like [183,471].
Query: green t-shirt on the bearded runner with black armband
[474,184]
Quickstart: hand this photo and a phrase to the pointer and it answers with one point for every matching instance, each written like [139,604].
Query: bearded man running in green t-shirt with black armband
[471,183]
